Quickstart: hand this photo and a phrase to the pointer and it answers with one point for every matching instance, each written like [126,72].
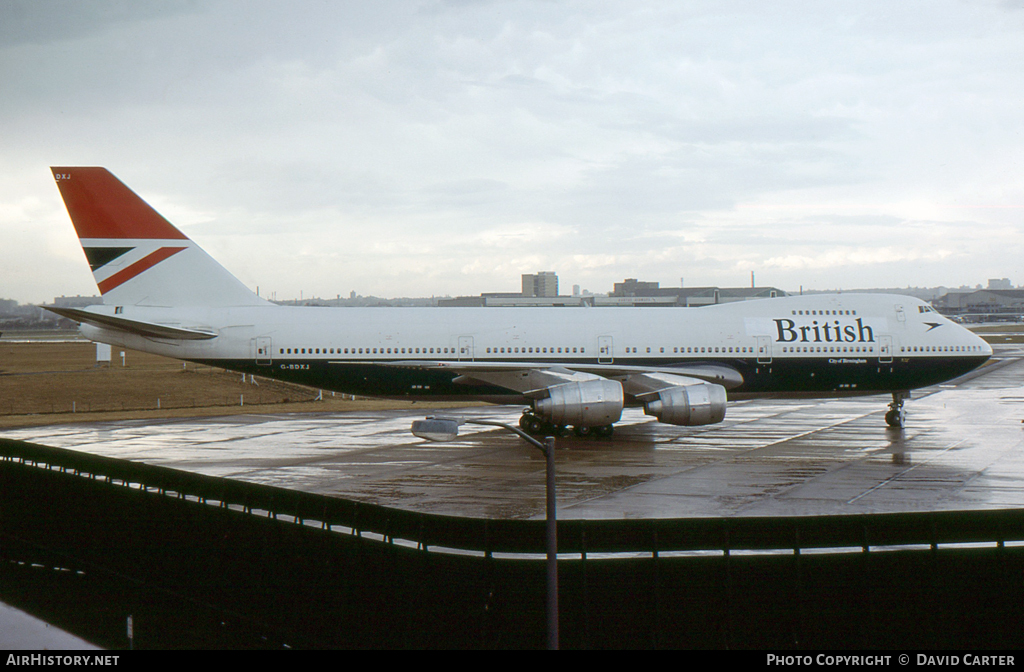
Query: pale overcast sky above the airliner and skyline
[417,149]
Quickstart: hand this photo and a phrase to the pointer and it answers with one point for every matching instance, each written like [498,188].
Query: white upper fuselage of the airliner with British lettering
[842,331]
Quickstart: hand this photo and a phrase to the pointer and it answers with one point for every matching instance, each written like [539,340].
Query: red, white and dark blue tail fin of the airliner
[137,257]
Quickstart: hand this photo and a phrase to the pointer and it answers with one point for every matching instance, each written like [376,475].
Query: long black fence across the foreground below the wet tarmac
[200,561]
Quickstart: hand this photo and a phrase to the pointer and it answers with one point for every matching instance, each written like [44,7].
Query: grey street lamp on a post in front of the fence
[442,429]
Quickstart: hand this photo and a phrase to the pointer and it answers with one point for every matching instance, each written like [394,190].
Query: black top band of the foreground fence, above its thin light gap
[584,539]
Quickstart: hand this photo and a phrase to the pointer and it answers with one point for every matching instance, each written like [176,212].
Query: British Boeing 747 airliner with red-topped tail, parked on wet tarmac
[575,367]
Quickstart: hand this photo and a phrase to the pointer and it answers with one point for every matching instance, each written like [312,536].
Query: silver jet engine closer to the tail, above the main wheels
[583,404]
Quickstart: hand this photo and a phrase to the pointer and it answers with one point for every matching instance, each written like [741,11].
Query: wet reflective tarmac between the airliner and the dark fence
[963,449]
